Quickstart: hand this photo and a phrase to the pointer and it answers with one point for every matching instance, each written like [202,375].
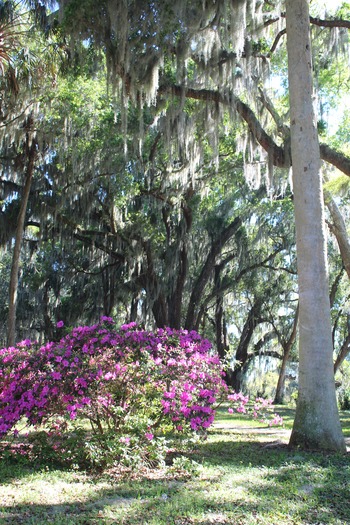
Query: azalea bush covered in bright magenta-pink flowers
[135,388]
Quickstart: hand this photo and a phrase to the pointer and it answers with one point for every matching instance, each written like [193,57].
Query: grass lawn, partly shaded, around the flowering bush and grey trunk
[245,475]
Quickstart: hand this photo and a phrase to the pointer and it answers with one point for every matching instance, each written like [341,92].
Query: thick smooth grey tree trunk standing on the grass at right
[316,423]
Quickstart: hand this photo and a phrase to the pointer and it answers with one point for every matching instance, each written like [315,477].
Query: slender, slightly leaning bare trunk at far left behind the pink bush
[13,288]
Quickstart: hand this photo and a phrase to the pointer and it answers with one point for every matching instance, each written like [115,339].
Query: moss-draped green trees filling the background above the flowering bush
[159,155]
